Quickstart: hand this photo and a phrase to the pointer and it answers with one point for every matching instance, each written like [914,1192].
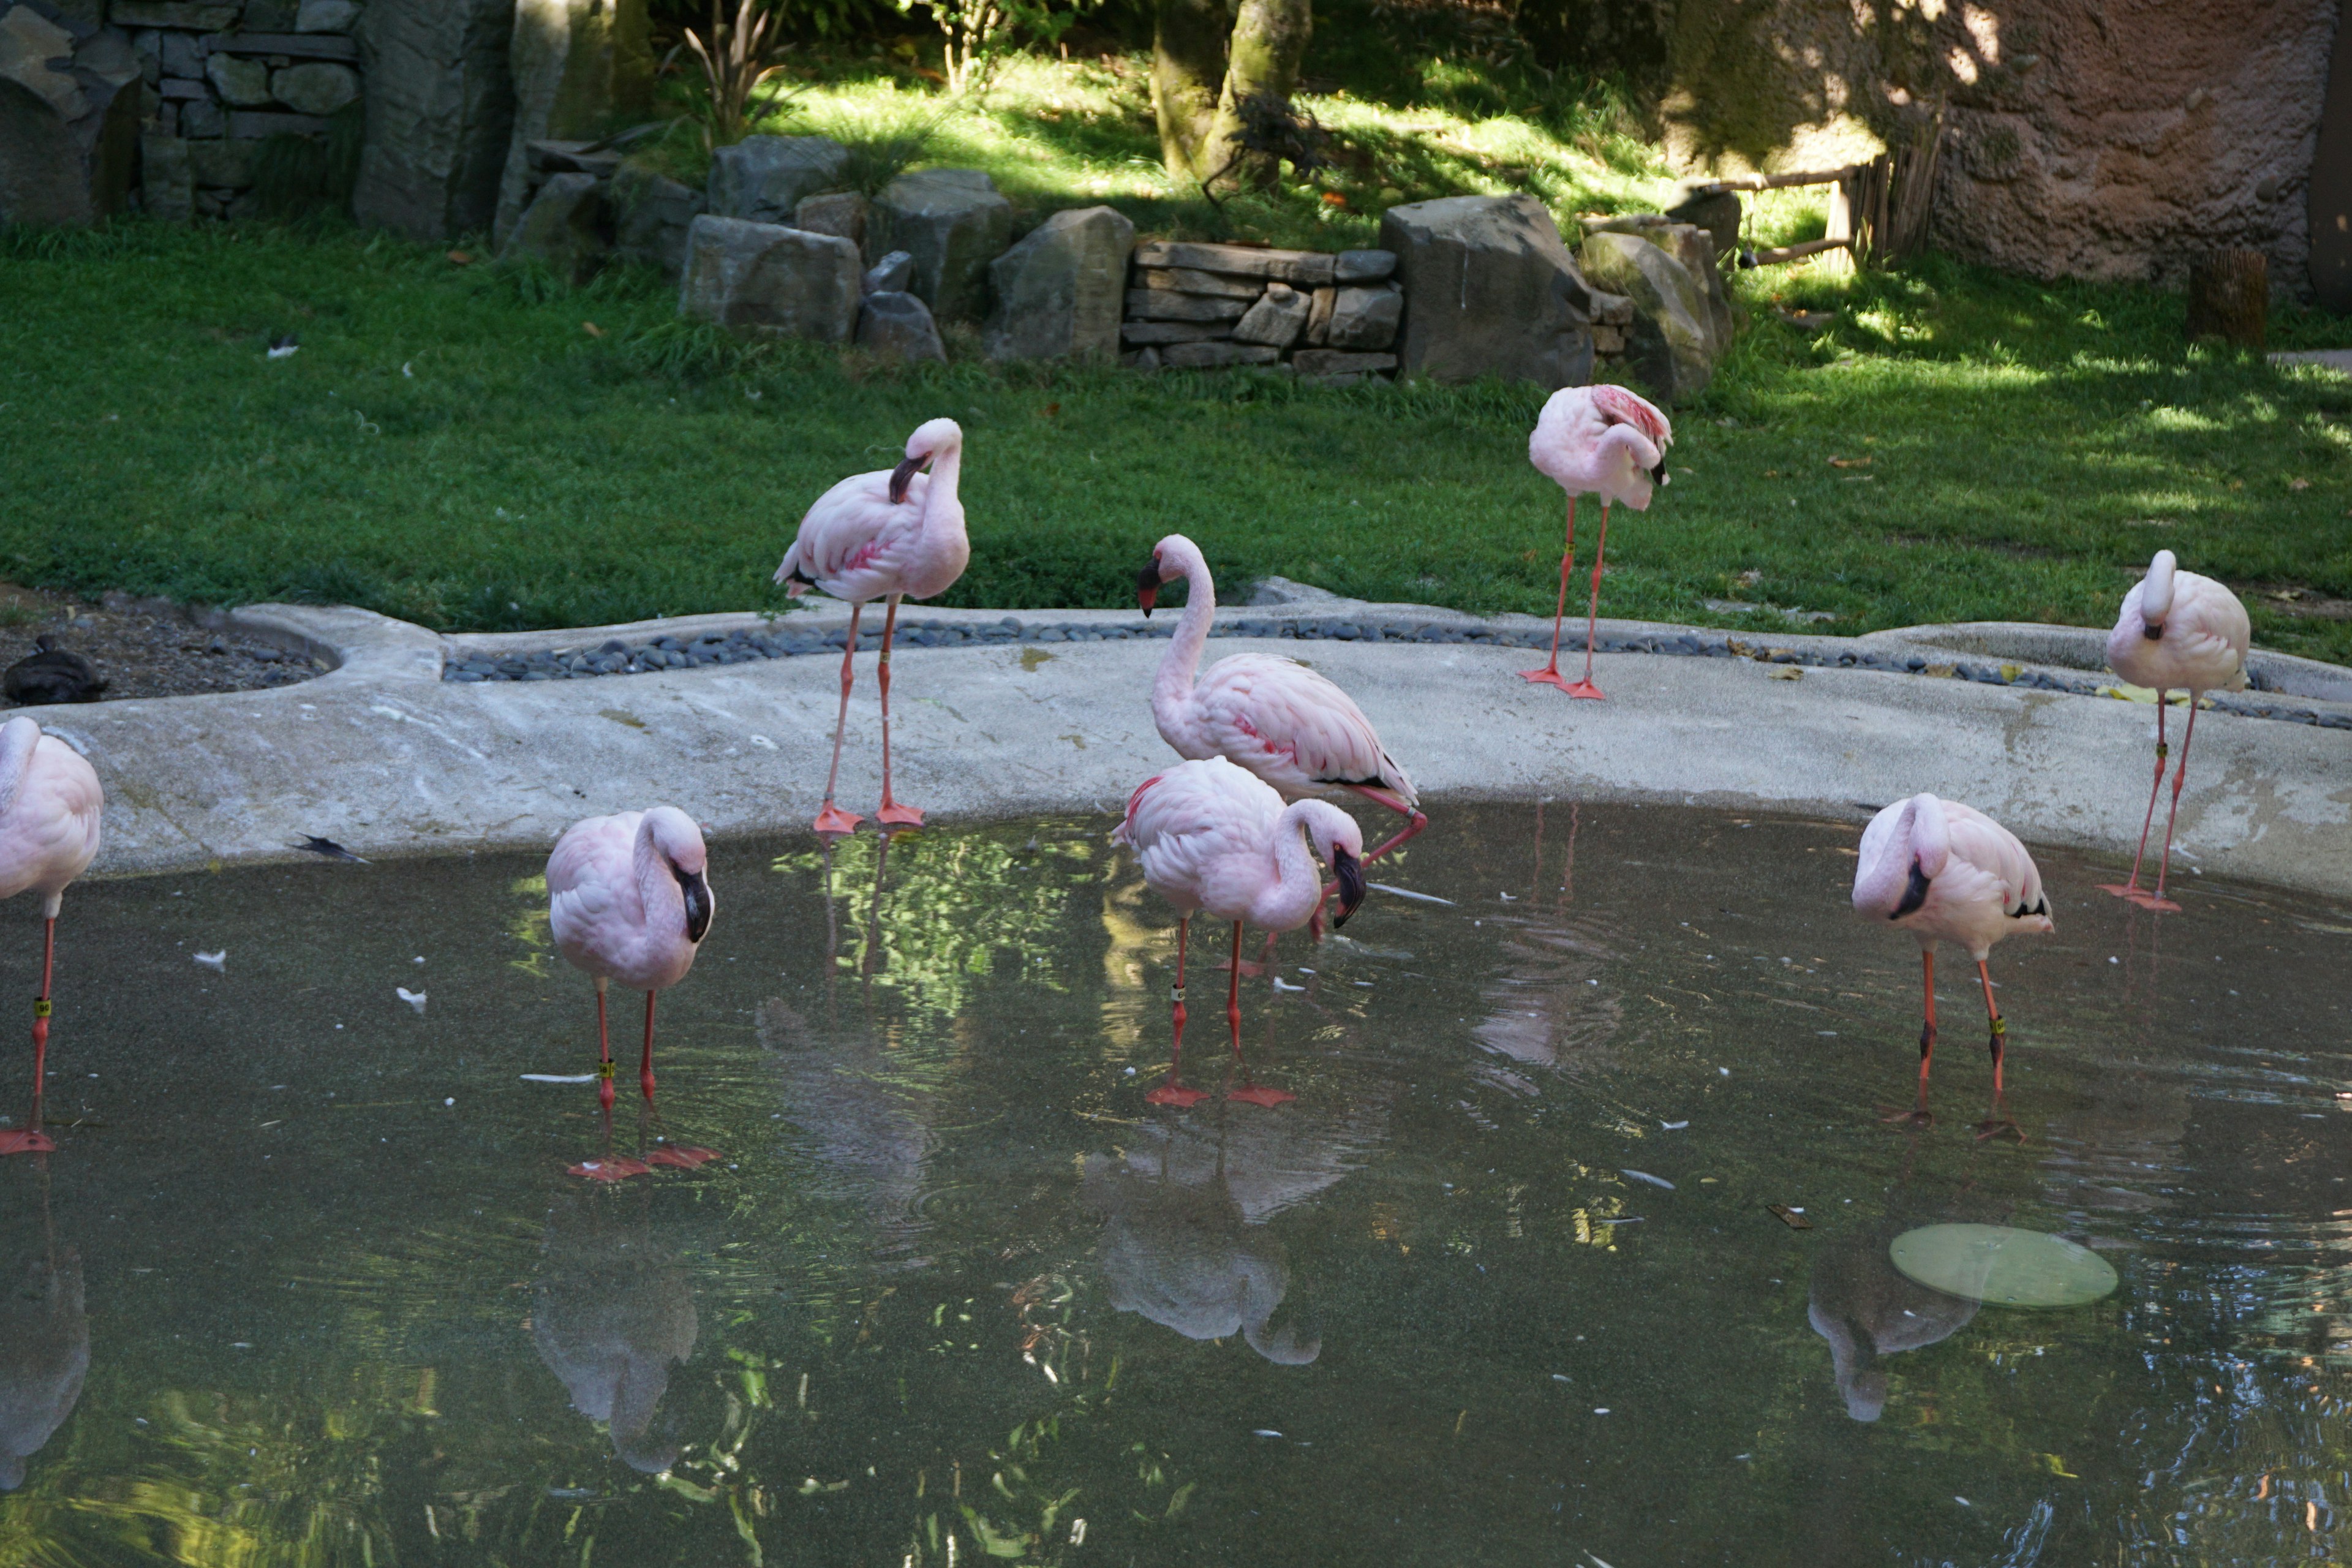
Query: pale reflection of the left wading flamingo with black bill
[613,1315]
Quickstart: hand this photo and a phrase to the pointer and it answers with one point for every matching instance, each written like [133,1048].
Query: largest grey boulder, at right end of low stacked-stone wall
[1490,293]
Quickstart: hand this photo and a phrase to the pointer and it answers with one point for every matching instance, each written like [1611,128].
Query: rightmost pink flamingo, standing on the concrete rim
[2177,634]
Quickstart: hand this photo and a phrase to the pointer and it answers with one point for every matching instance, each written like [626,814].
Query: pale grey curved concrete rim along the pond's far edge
[387,758]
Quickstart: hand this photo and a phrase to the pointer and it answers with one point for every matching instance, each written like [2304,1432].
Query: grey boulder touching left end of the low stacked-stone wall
[1062,290]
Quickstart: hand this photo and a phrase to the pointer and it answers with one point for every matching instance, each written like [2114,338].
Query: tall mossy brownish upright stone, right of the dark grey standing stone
[580,69]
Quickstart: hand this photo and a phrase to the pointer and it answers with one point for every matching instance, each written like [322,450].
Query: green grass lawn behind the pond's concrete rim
[455,448]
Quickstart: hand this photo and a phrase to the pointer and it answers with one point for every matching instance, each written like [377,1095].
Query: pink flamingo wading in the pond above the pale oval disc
[1951,873]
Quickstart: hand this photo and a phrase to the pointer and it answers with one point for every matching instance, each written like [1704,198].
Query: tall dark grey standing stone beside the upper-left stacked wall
[441,114]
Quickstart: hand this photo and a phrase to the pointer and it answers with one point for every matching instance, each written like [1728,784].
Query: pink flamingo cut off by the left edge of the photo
[51,805]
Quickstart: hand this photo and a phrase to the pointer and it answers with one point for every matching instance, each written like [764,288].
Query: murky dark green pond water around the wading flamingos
[1502,1285]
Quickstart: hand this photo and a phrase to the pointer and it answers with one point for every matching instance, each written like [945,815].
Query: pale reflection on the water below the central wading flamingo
[1187,1212]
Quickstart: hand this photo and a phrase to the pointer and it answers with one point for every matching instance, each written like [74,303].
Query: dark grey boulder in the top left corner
[69,119]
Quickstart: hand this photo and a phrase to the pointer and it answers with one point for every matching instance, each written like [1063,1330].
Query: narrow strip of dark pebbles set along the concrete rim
[747,645]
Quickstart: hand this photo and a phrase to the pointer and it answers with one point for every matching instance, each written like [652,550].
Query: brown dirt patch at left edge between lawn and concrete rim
[142,650]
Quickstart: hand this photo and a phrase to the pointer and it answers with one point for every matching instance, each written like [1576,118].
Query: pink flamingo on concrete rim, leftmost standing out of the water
[883,537]
